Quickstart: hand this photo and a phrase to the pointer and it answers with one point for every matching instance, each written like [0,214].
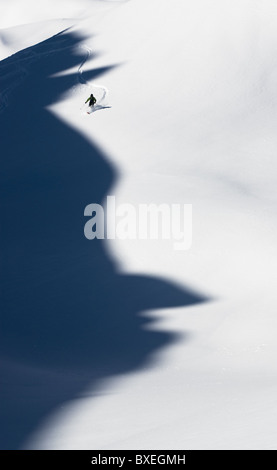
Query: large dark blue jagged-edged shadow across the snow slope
[68,318]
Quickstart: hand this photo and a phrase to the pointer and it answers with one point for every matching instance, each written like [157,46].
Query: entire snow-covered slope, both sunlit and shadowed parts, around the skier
[185,352]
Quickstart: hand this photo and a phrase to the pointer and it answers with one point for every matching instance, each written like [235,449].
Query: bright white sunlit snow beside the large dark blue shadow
[191,113]
